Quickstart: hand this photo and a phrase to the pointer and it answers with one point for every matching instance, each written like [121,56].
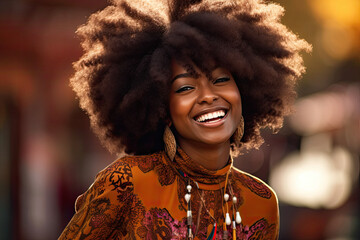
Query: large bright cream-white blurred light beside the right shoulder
[315,178]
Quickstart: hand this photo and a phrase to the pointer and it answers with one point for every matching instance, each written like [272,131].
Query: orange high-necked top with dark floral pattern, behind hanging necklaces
[142,197]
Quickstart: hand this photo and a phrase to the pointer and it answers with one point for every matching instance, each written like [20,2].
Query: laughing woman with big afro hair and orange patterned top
[181,86]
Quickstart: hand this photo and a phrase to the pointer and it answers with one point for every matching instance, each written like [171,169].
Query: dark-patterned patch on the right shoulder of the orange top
[254,184]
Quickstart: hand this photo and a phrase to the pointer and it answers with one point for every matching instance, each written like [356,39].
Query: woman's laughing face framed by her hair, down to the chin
[204,111]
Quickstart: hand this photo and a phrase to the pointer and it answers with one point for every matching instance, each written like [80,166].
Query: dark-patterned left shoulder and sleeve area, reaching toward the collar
[110,205]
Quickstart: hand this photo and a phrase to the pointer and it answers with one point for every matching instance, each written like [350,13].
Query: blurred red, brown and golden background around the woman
[48,155]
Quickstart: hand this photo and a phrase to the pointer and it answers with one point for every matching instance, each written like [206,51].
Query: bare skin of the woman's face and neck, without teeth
[207,143]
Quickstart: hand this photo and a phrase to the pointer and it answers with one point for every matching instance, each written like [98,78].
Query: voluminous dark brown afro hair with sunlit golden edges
[123,78]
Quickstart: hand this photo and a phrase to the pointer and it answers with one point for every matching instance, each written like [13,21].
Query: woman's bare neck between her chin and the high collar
[212,157]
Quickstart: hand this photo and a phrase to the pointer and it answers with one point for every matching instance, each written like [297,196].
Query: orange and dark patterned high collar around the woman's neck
[206,179]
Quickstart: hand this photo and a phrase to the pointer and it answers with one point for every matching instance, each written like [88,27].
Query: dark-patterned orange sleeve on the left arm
[102,211]
